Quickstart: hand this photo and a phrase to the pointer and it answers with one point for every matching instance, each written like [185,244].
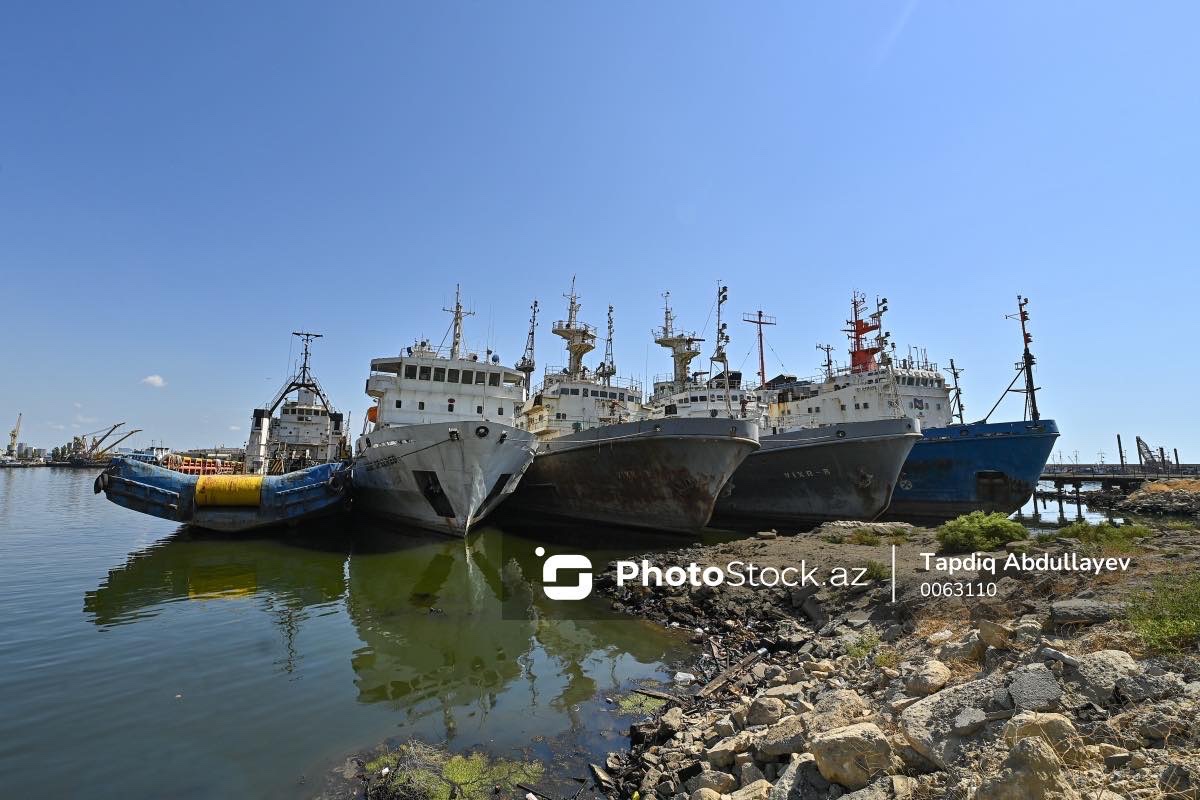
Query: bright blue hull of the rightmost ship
[976,467]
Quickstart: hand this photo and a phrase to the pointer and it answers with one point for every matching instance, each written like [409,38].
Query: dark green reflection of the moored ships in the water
[433,642]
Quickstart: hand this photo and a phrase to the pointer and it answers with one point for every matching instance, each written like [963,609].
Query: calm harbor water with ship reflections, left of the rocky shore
[142,660]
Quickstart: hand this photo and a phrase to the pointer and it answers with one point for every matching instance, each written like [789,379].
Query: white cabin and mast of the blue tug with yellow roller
[308,431]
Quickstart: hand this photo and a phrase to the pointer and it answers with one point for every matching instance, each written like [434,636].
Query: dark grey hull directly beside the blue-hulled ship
[815,476]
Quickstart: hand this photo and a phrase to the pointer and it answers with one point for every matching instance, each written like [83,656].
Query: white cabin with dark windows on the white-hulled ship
[423,387]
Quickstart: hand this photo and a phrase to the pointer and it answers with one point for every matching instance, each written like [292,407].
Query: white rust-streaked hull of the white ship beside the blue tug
[440,477]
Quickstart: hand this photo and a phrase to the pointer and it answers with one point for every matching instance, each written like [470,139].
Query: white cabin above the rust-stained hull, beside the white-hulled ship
[565,405]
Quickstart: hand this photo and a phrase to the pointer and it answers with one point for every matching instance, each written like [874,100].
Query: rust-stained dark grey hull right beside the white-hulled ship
[659,474]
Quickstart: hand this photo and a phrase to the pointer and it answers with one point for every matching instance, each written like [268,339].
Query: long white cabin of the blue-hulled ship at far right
[911,389]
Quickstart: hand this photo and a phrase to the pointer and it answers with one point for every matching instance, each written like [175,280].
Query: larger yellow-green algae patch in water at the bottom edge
[418,772]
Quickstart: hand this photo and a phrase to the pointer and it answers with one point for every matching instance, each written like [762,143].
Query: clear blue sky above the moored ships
[183,184]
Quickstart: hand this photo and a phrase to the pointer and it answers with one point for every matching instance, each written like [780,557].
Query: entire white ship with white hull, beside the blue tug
[441,450]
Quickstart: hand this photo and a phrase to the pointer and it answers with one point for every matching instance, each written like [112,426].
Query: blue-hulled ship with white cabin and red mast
[957,467]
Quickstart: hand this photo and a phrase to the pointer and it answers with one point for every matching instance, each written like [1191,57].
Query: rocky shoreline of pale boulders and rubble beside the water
[1037,689]
